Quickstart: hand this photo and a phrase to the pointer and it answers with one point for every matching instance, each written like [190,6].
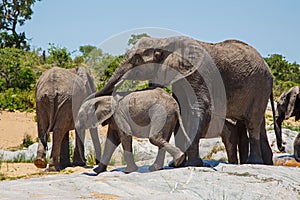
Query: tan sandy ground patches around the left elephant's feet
[13,127]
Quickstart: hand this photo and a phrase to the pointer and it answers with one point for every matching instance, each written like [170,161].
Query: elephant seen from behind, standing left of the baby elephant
[59,94]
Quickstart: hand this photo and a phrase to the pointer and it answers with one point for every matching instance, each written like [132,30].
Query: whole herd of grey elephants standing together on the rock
[218,89]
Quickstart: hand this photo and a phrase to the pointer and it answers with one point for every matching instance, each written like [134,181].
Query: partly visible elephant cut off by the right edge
[288,105]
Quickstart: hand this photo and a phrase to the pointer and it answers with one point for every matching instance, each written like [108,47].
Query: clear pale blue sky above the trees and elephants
[269,26]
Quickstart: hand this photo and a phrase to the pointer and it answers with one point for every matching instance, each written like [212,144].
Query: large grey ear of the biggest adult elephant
[183,56]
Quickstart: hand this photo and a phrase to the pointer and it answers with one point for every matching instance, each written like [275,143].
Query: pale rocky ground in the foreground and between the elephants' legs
[218,181]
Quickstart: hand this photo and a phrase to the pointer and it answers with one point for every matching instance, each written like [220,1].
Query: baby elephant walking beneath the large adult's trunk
[151,113]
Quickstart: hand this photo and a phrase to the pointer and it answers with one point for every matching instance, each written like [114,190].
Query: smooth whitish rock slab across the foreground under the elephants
[228,182]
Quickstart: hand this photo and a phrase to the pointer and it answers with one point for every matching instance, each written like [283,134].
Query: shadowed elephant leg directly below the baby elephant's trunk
[79,149]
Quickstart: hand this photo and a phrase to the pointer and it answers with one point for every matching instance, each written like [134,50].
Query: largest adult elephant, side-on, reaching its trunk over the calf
[245,75]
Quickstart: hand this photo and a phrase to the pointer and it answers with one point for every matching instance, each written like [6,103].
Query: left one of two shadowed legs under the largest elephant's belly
[229,138]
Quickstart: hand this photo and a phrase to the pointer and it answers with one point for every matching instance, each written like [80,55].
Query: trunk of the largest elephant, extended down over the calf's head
[114,79]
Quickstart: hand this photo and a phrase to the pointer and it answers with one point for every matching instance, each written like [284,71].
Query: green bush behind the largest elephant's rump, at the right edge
[286,75]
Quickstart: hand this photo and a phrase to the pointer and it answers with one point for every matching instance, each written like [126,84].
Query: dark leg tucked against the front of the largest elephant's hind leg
[243,142]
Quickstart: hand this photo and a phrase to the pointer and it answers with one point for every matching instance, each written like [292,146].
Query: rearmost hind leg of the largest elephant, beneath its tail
[266,150]
